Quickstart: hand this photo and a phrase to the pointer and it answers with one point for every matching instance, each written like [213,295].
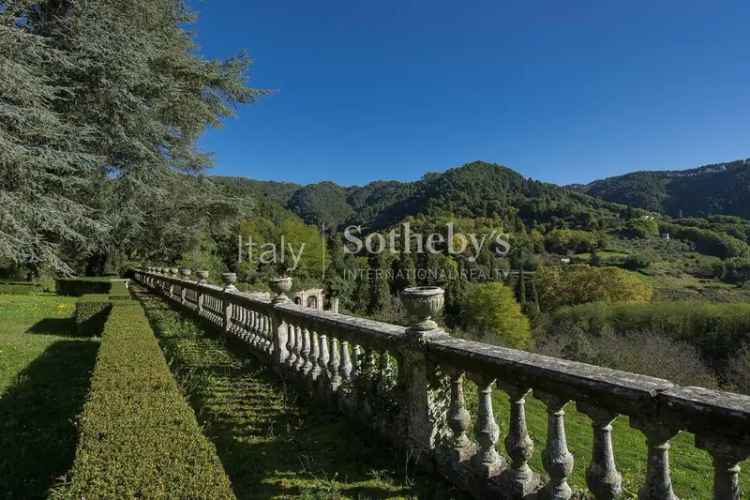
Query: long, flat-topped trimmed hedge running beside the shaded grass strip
[139,438]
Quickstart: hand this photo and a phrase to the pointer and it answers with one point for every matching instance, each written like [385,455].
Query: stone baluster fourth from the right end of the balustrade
[557,460]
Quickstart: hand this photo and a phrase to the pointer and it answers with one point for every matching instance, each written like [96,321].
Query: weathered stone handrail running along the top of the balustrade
[689,408]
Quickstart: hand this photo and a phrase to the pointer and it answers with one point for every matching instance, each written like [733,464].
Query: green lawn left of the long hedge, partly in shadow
[44,379]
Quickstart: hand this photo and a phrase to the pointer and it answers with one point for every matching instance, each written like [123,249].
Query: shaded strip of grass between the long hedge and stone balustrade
[273,443]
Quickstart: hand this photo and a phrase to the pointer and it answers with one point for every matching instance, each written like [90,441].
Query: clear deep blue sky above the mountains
[560,91]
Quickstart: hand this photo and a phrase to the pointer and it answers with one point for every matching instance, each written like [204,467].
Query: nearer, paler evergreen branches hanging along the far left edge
[44,167]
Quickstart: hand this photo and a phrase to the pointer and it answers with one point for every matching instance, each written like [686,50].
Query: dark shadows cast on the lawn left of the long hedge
[37,417]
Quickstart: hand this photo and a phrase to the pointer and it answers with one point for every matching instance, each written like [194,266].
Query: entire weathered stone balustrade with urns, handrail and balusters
[408,384]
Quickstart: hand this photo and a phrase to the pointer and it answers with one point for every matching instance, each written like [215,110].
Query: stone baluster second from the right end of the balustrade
[658,485]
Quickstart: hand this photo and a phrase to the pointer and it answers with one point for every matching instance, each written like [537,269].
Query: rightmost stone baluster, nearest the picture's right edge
[727,455]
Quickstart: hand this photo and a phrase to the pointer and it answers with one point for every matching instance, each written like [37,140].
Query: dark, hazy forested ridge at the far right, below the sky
[718,189]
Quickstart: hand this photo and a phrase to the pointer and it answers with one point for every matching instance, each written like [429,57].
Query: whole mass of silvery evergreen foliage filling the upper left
[127,73]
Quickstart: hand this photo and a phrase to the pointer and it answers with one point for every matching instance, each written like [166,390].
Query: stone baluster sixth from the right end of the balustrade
[487,462]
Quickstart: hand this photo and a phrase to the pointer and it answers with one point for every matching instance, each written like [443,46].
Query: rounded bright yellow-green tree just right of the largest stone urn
[491,314]
